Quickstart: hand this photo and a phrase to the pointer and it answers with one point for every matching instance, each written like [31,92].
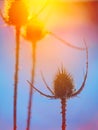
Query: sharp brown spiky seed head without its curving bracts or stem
[63,84]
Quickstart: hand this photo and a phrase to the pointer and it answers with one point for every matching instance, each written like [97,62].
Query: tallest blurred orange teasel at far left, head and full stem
[16,15]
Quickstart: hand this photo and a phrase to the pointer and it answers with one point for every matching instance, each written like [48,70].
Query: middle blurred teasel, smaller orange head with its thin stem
[34,32]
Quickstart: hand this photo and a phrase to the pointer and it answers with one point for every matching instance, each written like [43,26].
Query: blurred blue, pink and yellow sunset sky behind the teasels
[73,22]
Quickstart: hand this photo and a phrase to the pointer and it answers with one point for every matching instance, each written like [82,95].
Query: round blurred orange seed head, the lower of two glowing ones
[34,31]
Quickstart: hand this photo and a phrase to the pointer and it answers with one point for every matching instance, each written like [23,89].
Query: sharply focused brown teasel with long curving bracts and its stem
[63,88]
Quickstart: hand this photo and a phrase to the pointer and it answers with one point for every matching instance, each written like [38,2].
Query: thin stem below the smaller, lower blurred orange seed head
[31,89]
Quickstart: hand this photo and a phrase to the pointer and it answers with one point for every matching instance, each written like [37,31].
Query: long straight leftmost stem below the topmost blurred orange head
[16,77]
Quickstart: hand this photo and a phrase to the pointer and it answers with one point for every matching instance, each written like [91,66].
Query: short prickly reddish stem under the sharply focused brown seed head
[63,107]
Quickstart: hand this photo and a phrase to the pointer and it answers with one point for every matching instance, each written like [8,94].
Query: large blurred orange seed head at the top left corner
[17,13]
